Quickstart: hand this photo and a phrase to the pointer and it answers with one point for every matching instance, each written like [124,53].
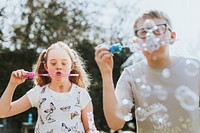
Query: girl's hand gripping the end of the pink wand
[18,77]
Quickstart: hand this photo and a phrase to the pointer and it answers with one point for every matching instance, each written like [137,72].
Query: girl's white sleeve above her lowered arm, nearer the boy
[84,98]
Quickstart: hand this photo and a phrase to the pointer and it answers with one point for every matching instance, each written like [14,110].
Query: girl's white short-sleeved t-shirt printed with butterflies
[59,112]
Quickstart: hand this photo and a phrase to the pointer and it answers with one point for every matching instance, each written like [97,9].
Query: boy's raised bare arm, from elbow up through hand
[104,61]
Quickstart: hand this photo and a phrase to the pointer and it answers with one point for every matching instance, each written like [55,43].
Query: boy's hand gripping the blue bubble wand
[104,59]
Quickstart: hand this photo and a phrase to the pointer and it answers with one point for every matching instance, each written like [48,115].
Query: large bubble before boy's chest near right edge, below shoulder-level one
[187,98]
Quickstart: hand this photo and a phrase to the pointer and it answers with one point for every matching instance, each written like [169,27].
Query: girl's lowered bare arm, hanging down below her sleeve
[88,119]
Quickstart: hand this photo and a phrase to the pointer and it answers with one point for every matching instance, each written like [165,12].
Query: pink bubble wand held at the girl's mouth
[32,75]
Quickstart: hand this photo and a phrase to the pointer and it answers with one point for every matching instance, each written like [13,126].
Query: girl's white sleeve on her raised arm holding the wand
[33,96]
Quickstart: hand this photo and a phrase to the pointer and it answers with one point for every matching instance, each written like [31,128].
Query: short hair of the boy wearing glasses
[151,14]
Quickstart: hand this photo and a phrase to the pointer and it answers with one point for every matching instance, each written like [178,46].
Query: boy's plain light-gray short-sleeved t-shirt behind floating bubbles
[166,99]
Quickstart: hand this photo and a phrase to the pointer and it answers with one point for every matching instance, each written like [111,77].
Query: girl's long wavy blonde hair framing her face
[77,64]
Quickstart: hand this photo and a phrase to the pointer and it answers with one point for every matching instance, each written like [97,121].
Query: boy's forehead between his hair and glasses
[140,22]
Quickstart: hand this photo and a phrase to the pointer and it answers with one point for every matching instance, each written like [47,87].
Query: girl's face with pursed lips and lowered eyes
[58,63]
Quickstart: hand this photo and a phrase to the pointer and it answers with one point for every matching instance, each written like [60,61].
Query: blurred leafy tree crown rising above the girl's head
[47,22]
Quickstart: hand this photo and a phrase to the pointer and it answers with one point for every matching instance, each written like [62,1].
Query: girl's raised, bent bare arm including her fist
[7,107]
